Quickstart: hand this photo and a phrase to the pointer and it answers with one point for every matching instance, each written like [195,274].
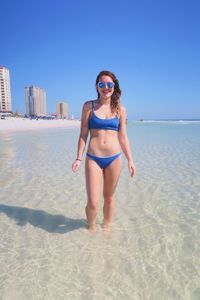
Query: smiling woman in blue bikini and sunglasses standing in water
[105,118]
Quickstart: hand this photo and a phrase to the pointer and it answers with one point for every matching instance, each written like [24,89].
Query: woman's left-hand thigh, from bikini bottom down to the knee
[93,175]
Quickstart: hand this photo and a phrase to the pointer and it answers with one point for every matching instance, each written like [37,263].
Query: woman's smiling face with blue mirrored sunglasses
[105,86]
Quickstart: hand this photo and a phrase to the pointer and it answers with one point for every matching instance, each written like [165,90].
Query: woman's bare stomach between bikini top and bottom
[103,143]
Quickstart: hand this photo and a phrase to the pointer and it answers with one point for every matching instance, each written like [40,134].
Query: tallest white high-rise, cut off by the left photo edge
[5,95]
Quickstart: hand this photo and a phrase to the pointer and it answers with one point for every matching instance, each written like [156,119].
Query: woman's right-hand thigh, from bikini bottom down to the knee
[111,176]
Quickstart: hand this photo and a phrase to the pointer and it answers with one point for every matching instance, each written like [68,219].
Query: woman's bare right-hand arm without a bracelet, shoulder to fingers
[124,142]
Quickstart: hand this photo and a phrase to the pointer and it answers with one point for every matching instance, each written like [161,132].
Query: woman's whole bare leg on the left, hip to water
[93,174]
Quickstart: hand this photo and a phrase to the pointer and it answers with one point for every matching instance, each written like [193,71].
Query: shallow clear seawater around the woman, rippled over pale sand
[152,251]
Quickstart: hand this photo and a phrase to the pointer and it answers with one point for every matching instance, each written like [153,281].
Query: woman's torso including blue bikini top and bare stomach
[103,132]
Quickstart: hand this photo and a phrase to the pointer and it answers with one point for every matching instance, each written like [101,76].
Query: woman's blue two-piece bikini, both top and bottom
[106,124]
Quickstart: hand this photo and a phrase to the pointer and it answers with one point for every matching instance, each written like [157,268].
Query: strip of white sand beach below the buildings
[21,124]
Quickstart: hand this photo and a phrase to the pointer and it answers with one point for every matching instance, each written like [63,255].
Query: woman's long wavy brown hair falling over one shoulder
[115,98]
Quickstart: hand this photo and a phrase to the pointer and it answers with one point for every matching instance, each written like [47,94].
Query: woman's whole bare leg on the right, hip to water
[111,177]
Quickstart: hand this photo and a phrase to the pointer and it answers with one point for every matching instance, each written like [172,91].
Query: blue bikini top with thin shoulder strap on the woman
[99,123]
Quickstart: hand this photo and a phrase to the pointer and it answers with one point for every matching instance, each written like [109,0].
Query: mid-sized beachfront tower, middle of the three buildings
[35,101]
